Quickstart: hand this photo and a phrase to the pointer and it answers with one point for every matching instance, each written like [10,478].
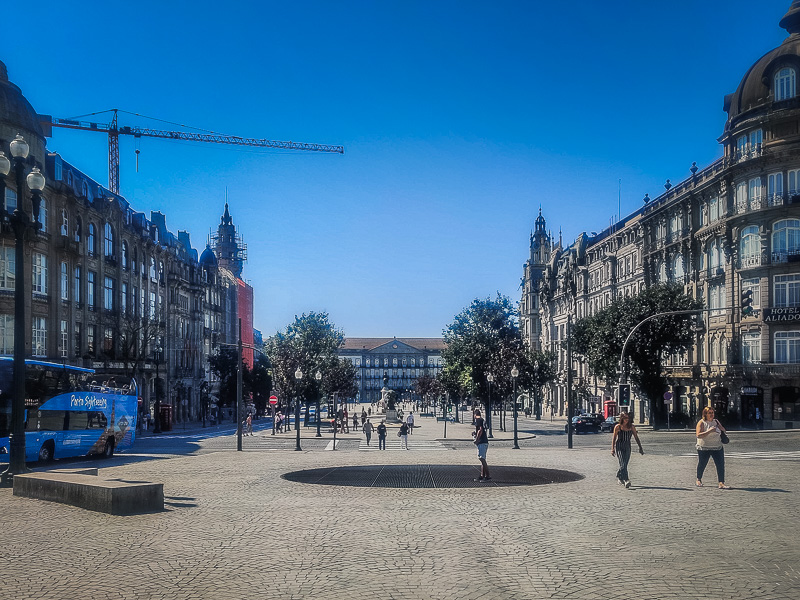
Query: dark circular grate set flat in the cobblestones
[430,476]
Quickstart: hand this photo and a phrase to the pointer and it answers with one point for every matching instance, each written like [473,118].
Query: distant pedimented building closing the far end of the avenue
[402,360]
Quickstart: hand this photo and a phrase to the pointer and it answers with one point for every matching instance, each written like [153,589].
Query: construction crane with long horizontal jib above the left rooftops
[114,131]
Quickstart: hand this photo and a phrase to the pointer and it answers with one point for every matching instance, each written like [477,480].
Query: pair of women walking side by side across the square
[710,434]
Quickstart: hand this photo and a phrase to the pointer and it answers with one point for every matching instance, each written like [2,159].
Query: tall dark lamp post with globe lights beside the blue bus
[20,224]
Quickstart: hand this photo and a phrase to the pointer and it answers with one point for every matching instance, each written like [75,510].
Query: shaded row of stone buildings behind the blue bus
[112,289]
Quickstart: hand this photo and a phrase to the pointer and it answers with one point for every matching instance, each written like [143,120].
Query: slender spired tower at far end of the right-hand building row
[530,318]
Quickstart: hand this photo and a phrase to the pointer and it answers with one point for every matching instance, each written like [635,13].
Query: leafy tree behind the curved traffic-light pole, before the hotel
[600,337]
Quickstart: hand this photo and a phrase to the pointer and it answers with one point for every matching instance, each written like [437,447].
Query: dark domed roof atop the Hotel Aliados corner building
[756,86]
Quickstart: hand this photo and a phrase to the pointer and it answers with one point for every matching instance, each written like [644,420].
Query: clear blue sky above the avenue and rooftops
[458,120]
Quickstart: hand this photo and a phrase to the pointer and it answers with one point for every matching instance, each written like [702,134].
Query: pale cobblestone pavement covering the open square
[233,528]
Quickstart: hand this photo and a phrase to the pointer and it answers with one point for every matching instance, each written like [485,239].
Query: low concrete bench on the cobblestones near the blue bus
[91,492]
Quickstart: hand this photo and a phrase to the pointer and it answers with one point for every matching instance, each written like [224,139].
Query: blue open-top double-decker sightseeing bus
[68,412]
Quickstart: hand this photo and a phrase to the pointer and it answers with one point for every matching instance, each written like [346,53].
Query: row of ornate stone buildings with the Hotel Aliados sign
[728,229]
